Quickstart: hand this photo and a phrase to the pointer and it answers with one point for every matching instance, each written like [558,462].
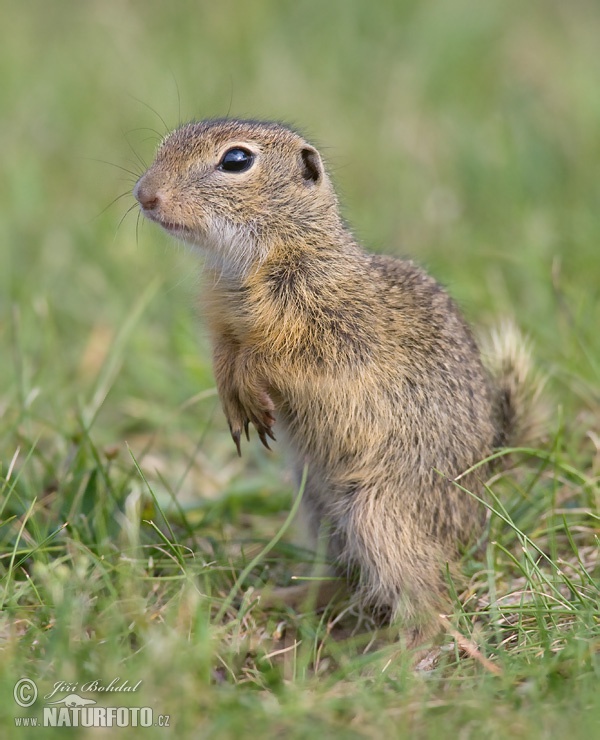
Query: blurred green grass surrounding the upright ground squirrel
[462,135]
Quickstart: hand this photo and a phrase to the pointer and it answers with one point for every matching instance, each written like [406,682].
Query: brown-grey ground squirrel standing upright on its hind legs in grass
[362,361]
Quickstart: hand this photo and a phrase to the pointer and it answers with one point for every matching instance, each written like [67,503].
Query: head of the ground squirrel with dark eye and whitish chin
[236,189]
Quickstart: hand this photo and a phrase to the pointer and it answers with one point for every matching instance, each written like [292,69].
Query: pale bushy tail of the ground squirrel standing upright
[521,412]
